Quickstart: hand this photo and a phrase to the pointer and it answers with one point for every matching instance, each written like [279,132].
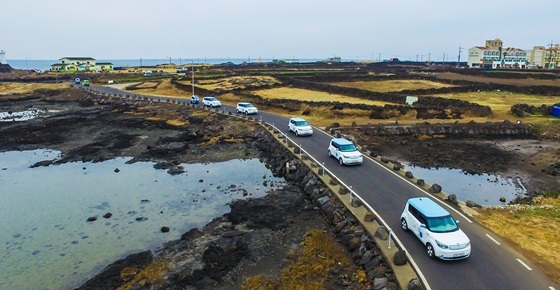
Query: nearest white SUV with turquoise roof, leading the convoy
[437,230]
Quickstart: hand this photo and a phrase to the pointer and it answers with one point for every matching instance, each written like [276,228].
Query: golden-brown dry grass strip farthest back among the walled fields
[394,85]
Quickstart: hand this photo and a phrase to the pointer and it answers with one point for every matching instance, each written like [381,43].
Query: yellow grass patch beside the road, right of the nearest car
[534,229]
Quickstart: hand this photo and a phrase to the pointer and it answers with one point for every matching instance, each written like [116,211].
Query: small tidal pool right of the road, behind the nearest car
[484,189]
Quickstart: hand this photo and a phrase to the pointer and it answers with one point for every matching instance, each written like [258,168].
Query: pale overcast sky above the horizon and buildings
[352,29]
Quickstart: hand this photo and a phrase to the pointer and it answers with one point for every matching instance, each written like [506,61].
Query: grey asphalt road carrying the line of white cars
[492,265]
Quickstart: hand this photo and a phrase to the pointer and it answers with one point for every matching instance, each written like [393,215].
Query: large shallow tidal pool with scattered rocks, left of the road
[47,241]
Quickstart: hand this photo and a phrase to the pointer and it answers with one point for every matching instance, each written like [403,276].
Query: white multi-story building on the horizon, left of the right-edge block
[494,55]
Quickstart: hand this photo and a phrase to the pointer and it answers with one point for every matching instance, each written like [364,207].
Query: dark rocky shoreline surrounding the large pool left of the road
[257,237]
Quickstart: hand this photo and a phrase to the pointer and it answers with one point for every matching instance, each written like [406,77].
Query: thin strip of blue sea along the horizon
[45,64]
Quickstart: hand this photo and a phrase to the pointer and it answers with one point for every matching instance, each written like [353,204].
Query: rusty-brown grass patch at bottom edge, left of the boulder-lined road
[308,267]
